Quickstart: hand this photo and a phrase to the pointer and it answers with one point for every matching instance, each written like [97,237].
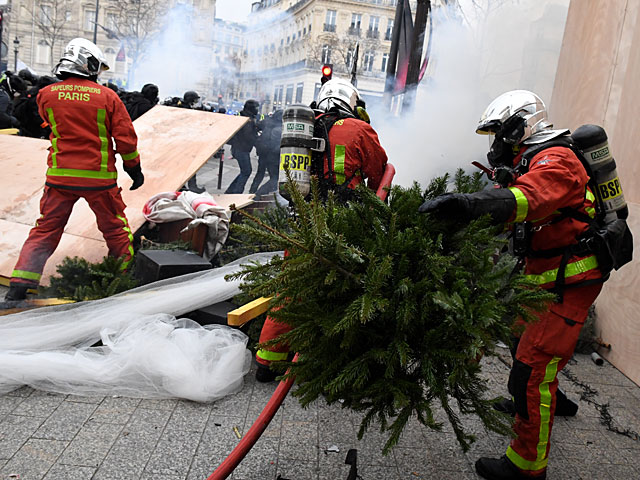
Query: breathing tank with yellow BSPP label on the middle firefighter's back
[296,148]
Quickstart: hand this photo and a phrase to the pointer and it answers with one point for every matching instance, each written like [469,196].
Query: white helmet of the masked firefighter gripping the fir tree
[526,105]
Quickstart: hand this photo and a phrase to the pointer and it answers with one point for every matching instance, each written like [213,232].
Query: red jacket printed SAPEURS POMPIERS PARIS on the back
[86,119]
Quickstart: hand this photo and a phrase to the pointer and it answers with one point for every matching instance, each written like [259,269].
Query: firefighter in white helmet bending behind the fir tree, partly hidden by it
[354,155]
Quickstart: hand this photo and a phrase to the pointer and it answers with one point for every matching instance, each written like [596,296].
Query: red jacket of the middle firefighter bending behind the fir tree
[356,154]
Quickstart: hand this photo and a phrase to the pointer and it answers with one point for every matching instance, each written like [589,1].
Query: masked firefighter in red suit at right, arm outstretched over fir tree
[539,191]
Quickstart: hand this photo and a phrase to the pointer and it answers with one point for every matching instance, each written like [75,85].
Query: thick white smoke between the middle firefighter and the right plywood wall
[476,54]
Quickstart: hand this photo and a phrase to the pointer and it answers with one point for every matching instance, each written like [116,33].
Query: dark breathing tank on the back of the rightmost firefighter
[592,141]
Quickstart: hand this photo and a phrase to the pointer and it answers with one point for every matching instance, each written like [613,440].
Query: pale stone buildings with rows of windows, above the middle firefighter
[288,42]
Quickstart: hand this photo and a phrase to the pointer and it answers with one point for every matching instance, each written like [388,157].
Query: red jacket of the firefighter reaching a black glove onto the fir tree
[556,179]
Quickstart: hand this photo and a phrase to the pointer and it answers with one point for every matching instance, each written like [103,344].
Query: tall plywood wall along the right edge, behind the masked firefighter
[596,82]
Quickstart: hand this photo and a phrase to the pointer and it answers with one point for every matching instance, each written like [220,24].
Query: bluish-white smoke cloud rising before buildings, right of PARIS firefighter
[179,57]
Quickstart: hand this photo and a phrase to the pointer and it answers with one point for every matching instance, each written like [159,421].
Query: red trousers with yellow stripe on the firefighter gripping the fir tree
[543,350]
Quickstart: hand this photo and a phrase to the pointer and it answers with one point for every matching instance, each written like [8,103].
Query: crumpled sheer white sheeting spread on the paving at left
[147,352]
